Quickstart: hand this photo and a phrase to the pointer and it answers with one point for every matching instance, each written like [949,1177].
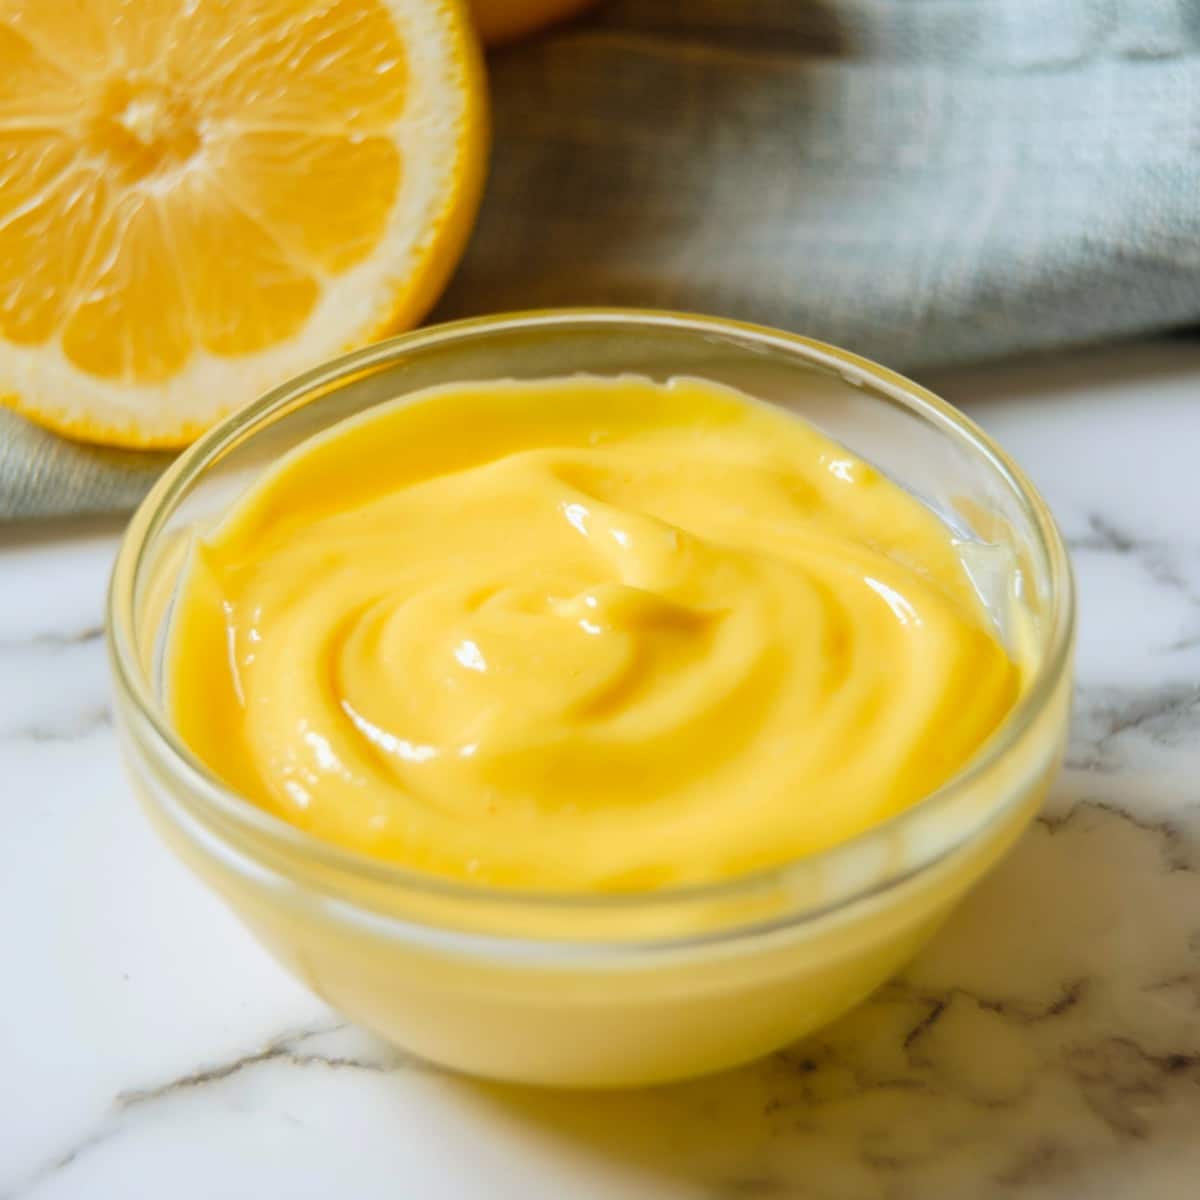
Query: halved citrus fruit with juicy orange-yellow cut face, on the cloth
[200,199]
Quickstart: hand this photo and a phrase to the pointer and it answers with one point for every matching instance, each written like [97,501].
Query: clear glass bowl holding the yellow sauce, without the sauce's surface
[586,991]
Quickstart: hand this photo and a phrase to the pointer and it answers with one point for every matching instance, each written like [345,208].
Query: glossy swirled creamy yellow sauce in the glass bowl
[583,635]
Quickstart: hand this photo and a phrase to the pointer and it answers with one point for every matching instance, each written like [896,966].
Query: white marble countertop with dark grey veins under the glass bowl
[1046,1046]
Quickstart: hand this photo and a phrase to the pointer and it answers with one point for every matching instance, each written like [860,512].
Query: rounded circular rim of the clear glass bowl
[226,803]
